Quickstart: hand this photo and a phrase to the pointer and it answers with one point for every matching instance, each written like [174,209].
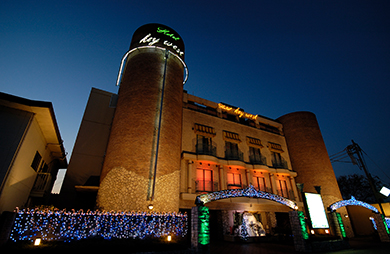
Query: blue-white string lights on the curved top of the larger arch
[250,191]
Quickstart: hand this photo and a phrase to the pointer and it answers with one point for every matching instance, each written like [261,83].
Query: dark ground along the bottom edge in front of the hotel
[358,246]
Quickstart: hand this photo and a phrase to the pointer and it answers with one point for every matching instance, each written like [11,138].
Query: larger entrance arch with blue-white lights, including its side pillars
[200,214]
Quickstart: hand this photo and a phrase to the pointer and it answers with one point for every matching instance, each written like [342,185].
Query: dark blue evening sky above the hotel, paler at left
[267,57]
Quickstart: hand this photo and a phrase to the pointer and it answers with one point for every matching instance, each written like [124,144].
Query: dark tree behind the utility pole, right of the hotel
[359,187]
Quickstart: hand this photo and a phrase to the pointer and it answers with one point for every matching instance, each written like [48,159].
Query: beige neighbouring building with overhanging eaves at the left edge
[31,152]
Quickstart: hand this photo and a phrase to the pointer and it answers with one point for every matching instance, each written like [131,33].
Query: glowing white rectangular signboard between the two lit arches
[316,210]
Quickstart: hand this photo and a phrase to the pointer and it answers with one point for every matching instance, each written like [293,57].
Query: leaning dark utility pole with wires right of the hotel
[353,150]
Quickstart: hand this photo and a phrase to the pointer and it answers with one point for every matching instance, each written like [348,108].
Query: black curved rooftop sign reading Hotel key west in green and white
[158,35]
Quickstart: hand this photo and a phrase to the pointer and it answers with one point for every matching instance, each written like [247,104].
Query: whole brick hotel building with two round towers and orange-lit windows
[154,146]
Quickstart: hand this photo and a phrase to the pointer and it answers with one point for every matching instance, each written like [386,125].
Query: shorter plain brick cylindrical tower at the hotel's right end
[308,155]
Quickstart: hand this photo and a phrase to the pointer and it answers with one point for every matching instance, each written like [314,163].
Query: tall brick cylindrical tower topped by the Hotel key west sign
[142,162]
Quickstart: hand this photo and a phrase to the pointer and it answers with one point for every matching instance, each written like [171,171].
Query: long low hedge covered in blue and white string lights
[66,226]
